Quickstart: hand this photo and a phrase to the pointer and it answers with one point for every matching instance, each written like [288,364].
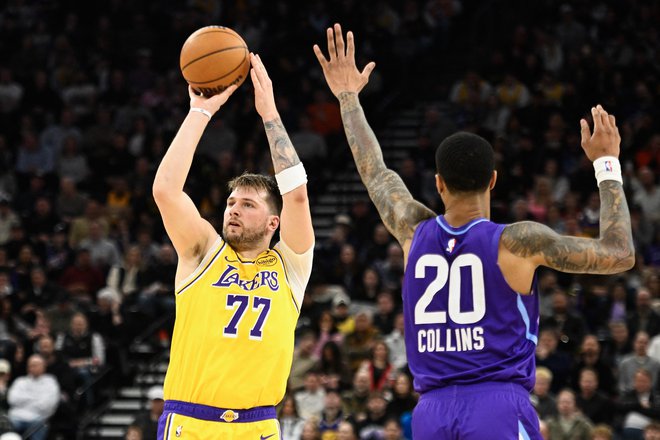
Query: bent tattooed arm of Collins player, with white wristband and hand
[613,251]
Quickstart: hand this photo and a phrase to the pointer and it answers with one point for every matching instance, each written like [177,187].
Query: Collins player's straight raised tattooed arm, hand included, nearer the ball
[399,211]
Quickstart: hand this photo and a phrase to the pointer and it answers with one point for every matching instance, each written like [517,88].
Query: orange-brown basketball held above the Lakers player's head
[213,58]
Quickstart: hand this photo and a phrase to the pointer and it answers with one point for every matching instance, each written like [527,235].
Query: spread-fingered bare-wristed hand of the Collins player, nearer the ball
[340,71]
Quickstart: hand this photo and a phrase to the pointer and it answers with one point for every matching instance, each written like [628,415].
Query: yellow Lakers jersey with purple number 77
[234,332]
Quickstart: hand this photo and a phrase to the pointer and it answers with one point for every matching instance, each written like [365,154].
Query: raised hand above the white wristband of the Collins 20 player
[605,140]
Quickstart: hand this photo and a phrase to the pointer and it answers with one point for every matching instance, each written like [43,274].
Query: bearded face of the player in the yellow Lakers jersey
[247,219]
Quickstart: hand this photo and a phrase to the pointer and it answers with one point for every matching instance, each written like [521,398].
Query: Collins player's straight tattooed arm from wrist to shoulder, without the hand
[398,210]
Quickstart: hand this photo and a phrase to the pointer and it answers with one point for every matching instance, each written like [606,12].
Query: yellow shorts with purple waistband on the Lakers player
[183,420]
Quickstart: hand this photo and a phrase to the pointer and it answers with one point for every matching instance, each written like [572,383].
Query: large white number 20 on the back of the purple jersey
[453,275]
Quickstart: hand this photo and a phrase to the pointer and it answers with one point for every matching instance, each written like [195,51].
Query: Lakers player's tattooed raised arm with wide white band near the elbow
[296,220]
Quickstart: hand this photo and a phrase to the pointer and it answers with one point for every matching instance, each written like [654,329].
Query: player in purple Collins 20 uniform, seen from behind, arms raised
[470,305]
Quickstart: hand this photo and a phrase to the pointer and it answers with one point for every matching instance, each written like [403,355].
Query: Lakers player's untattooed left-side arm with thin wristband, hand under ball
[190,233]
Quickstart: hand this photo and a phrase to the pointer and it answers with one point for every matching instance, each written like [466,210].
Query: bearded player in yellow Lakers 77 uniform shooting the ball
[237,300]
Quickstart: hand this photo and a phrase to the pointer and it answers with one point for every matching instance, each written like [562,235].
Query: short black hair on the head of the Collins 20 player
[465,161]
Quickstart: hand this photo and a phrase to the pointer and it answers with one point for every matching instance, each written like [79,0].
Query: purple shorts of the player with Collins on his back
[476,412]
